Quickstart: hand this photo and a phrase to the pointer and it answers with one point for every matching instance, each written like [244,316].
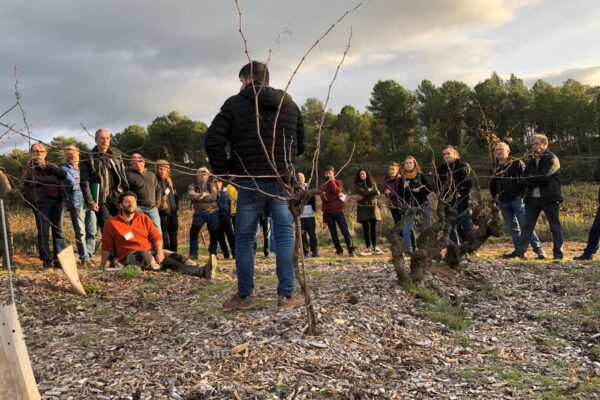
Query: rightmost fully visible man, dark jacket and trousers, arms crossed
[541,181]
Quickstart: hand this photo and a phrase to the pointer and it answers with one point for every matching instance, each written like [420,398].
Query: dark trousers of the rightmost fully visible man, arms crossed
[533,208]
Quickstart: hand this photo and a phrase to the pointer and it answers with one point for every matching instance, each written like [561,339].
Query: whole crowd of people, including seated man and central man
[136,209]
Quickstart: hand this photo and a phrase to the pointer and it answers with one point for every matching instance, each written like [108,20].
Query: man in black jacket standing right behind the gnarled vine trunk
[454,178]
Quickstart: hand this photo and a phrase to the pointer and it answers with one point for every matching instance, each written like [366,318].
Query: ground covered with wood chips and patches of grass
[497,330]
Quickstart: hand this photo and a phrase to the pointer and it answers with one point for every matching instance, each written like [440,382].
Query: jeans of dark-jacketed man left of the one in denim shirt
[50,218]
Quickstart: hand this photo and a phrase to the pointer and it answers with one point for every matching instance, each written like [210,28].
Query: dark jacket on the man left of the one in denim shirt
[39,180]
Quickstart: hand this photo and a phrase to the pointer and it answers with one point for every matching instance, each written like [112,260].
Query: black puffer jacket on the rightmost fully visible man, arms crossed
[545,175]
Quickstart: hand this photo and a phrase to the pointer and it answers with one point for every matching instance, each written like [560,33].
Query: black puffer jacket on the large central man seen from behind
[236,124]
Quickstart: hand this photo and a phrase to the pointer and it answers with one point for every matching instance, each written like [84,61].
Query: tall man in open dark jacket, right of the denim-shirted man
[103,178]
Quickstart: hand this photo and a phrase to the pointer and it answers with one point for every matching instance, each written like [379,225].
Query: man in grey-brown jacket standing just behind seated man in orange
[144,184]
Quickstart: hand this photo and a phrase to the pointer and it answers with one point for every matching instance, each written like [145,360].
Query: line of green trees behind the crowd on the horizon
[397,122]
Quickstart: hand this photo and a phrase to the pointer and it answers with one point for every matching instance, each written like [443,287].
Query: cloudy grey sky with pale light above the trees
[111,63]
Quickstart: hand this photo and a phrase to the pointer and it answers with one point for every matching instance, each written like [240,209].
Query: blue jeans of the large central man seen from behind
[250,204]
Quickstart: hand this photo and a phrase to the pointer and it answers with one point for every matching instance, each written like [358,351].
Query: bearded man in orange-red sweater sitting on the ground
[135,239]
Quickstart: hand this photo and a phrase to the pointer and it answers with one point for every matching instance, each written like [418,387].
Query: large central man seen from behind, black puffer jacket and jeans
[279,124]
